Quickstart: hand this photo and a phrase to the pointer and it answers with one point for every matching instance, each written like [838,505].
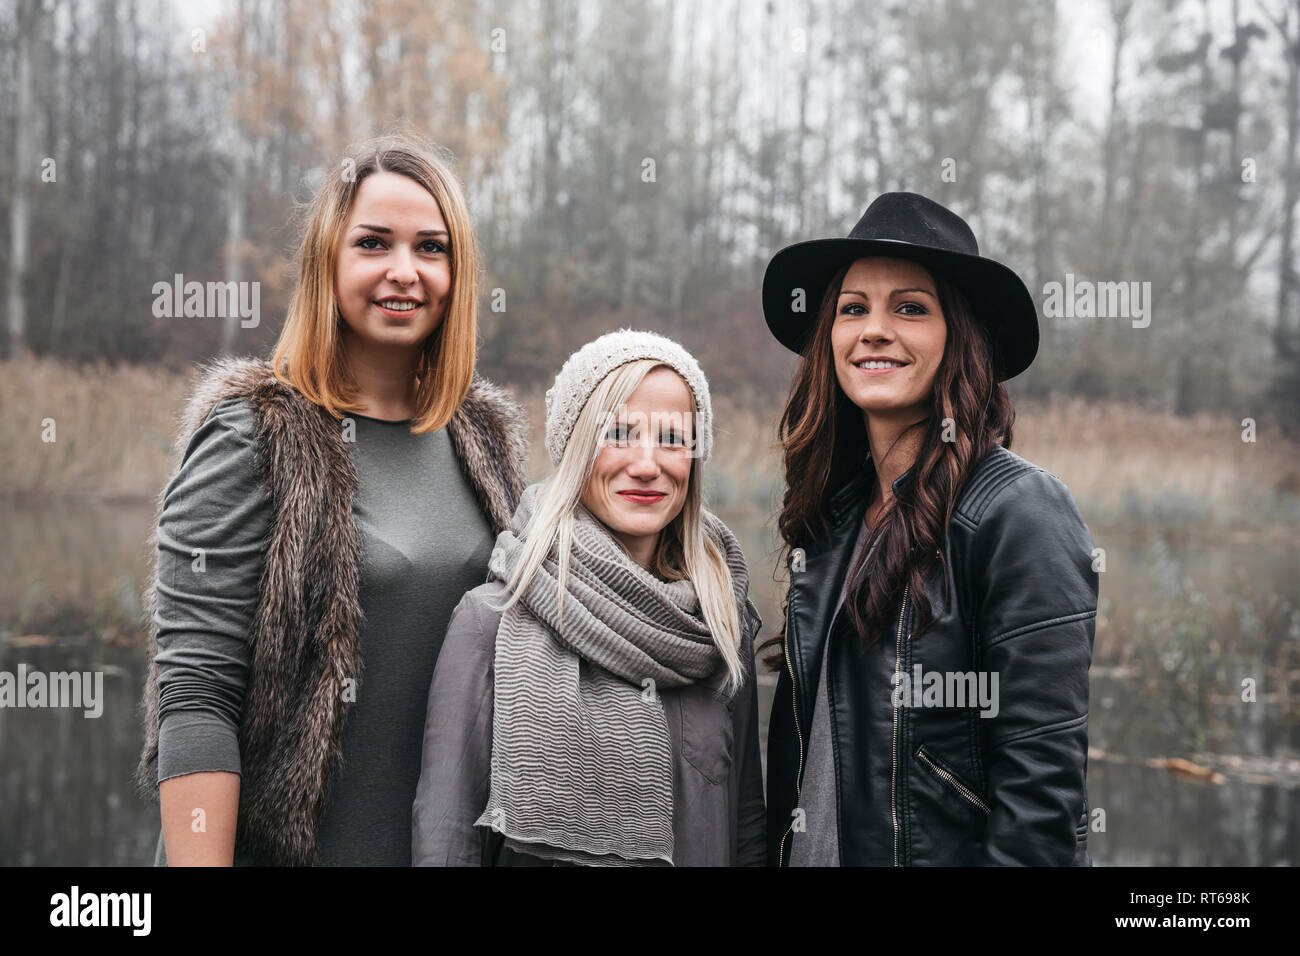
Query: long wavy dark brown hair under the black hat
[825,442]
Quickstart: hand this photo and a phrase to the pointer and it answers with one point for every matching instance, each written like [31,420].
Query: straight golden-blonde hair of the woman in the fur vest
[309,354]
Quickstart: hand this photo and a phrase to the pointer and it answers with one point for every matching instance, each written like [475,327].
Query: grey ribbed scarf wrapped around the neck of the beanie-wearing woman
[582,764]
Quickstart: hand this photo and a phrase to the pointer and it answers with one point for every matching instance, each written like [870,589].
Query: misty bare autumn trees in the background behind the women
[639,165]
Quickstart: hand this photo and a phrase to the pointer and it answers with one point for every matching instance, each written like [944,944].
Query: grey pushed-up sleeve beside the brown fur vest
[213,540]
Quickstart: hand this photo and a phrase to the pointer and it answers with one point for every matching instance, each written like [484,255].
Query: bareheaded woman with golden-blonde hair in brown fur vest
[330,509]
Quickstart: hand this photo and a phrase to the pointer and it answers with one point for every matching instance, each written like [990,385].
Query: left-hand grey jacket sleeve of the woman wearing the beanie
[456,769]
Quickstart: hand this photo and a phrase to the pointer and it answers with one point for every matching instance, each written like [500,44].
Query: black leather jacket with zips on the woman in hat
[943,785]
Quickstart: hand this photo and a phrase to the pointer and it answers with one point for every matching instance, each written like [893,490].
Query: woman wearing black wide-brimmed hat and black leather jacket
[933,699]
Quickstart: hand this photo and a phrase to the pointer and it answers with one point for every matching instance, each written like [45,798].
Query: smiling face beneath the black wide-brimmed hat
[889,338]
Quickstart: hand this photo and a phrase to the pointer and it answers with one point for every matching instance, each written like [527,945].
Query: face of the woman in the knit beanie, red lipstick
[643,471]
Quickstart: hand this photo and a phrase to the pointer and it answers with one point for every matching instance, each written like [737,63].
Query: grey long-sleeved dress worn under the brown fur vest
[424,543]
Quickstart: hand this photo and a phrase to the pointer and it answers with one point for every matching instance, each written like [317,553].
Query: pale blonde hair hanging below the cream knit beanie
[688,547]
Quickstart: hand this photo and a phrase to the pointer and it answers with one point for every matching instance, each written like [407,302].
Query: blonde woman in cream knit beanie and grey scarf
[595,702]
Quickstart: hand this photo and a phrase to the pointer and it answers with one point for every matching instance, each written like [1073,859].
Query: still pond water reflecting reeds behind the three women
[1197,661]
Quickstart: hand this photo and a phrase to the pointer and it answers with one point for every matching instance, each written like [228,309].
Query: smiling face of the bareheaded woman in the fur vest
[395,267]
